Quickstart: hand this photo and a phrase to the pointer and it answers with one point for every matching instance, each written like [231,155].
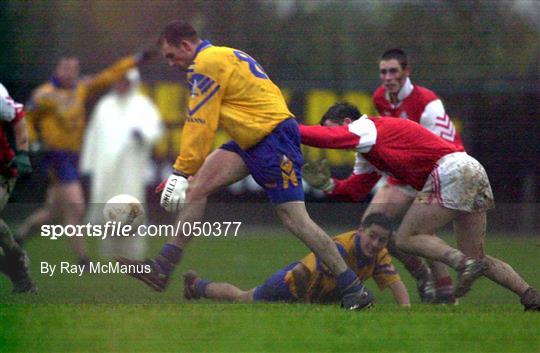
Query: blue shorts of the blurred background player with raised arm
[61,166]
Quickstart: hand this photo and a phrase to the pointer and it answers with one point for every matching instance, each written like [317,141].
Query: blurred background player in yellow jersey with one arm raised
[57,114]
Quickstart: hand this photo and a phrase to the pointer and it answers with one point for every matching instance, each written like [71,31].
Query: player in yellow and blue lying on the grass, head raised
[308,280]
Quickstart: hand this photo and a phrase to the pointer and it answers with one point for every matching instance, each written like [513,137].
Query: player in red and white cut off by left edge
[14,162]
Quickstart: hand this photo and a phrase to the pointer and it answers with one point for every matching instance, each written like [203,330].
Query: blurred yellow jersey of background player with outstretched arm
[57,115]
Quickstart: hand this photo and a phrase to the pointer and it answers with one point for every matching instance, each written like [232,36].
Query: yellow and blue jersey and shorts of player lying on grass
[317,284]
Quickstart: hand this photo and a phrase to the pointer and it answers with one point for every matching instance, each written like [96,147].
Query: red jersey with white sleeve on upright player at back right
[420,105]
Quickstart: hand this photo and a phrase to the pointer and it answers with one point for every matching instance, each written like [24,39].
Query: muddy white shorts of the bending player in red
[458,182]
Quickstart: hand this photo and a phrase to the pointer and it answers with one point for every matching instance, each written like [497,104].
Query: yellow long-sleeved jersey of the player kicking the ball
[228,89]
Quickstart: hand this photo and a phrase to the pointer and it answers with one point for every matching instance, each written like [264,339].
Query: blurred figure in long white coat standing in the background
[118,142]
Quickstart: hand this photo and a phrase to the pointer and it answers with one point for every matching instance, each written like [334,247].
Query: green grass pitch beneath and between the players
[64,316]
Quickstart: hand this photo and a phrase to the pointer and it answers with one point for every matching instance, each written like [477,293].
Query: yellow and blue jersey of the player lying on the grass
[320,284]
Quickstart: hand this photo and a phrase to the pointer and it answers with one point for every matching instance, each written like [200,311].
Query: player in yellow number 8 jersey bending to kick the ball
[230,89]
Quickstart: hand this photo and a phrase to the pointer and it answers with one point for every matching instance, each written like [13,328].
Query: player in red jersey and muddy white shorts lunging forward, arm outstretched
[452,187]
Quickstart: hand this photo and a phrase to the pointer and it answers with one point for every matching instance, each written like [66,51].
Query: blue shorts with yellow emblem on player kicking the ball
[276,162]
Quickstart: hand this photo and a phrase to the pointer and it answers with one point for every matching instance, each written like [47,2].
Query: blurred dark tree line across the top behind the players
[455,46]
